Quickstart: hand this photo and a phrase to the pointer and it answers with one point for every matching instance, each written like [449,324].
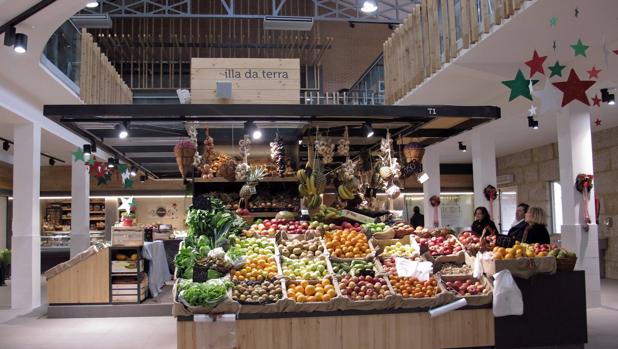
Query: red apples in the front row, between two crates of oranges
[366,288]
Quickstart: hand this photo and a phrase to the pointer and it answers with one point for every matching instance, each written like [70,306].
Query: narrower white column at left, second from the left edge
[80,208]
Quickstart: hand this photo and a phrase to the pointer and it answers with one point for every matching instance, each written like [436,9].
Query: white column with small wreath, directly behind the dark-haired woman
[483,149]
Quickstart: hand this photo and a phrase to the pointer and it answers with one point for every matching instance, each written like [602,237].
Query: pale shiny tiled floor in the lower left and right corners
[34,331]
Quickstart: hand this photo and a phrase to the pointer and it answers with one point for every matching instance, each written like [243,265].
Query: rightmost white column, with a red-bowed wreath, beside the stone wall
[575,157]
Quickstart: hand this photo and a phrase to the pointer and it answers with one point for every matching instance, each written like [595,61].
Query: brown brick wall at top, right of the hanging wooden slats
[353,50]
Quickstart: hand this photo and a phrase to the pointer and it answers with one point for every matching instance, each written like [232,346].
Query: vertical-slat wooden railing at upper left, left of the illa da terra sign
[99,82]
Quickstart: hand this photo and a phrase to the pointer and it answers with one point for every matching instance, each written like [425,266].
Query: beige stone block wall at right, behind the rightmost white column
[533,169]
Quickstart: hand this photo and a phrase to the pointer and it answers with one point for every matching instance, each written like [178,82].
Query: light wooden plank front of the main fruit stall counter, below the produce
[351,329]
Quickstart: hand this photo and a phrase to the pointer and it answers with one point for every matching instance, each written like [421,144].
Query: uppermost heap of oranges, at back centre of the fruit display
[349,242]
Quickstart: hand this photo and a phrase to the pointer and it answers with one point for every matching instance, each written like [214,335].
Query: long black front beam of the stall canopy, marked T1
[273,112]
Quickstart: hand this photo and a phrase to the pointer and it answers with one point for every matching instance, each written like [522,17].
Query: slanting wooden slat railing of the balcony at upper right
[433,35]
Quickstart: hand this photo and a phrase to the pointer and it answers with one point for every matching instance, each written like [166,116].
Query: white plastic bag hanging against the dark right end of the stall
[507,296]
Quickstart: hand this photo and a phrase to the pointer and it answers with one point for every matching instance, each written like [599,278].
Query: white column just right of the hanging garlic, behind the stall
[431,166]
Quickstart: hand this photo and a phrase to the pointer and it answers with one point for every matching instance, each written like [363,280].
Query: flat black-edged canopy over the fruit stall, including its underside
[154,129]
